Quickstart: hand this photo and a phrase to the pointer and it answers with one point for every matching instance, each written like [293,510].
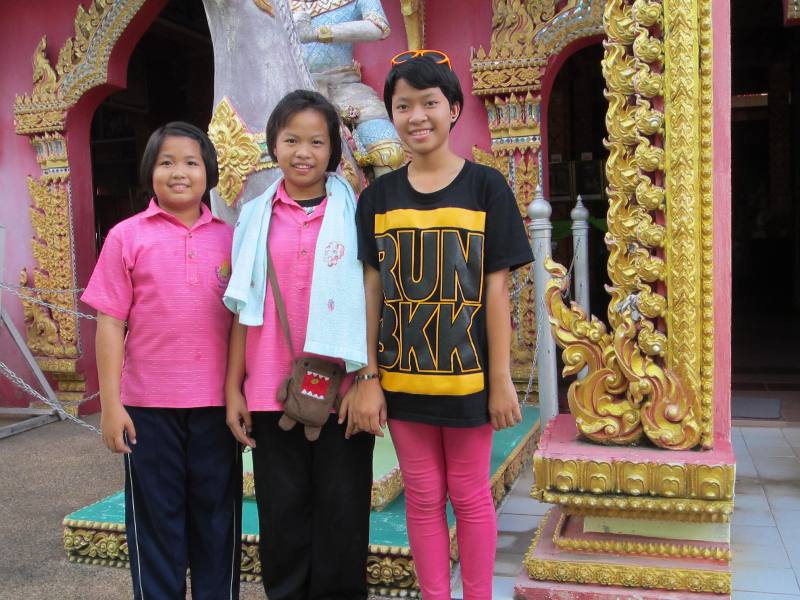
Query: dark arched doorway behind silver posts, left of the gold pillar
[576,163]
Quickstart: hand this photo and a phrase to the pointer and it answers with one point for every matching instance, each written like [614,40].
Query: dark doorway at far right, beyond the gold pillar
[765,221]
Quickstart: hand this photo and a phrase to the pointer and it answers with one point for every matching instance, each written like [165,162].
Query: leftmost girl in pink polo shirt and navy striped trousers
[161,346]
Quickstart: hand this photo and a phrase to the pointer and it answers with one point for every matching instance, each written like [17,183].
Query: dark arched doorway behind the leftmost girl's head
[170,77]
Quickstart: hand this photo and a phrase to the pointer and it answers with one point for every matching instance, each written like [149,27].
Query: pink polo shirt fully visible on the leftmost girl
[167,281]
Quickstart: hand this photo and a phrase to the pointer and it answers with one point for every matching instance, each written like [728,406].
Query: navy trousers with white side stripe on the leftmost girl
[183,499]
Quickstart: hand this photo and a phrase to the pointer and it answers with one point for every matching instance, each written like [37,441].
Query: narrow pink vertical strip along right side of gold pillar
[721,19]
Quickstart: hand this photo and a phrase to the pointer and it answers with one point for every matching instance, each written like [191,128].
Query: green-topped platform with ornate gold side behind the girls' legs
[95,534]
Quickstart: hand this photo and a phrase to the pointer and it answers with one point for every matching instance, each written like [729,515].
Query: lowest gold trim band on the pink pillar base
[611,574]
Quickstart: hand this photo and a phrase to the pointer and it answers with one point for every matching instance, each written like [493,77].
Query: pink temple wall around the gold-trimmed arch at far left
[20,31]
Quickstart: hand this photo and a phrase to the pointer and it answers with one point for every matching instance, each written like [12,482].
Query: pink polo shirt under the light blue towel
[292,241]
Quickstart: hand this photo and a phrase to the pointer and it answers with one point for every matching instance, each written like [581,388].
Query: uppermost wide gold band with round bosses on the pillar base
[681,482]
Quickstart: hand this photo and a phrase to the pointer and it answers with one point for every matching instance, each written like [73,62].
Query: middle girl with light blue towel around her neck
[313,496]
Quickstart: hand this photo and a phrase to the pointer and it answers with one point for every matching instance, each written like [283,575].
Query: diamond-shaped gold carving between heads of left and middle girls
[237,150]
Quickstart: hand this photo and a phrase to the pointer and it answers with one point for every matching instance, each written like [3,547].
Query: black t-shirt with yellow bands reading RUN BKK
[433,251]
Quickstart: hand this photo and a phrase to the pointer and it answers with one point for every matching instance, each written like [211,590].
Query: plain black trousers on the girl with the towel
[313,509]
